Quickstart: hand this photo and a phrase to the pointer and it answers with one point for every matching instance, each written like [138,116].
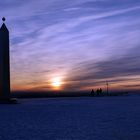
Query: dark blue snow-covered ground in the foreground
[74,118]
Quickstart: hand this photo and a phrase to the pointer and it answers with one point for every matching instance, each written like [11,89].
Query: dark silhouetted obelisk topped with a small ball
[4,63]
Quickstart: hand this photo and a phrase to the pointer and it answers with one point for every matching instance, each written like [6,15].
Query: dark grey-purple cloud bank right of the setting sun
[122,70]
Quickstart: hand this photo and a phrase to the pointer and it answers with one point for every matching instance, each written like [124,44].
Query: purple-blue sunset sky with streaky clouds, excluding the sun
[83,42]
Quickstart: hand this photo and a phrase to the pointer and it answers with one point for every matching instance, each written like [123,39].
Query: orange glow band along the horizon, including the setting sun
[59,82]
